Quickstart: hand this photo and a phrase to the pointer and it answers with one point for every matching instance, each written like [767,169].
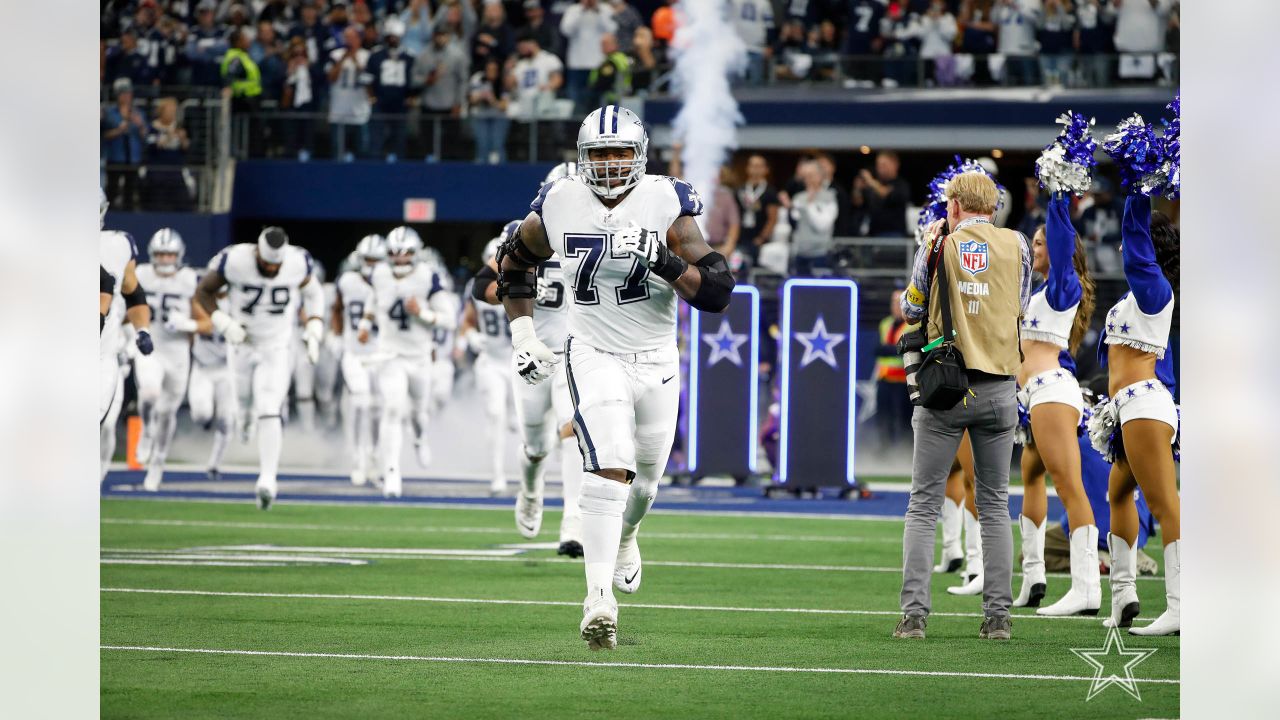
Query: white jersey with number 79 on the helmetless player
[268,308]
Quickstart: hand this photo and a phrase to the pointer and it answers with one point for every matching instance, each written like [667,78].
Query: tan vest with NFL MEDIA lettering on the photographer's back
[985,272]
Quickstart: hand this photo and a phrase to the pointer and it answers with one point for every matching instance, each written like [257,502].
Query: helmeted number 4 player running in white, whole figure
[409,306]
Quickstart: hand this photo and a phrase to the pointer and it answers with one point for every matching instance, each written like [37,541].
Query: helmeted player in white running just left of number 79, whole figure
[171,286]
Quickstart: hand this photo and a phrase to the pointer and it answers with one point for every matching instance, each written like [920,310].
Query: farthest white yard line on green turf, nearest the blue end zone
[495,531]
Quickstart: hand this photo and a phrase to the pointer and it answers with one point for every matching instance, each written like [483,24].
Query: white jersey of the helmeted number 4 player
[400,332]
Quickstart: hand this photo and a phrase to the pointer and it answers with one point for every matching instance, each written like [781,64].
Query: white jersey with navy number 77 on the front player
[615,306]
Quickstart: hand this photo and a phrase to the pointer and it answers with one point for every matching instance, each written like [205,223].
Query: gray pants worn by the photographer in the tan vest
[990,416]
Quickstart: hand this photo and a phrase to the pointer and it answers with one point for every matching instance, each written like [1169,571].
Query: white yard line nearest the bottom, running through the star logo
[638,666]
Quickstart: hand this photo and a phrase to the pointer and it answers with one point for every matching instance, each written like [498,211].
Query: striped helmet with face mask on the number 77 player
[612,126]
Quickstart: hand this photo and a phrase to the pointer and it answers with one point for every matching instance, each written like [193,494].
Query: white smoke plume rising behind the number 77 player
[708,52]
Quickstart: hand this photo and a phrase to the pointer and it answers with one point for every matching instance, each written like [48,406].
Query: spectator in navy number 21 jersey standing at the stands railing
[390,71]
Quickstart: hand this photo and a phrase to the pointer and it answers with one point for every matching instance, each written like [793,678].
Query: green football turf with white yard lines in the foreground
[362,612]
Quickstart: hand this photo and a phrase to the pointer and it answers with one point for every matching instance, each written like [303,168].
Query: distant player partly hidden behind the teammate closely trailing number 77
[484,330]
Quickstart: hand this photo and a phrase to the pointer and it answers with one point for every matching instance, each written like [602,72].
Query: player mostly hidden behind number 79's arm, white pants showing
[209,395]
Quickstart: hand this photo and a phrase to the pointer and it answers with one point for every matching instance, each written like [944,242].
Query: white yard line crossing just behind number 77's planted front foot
[563,604]
